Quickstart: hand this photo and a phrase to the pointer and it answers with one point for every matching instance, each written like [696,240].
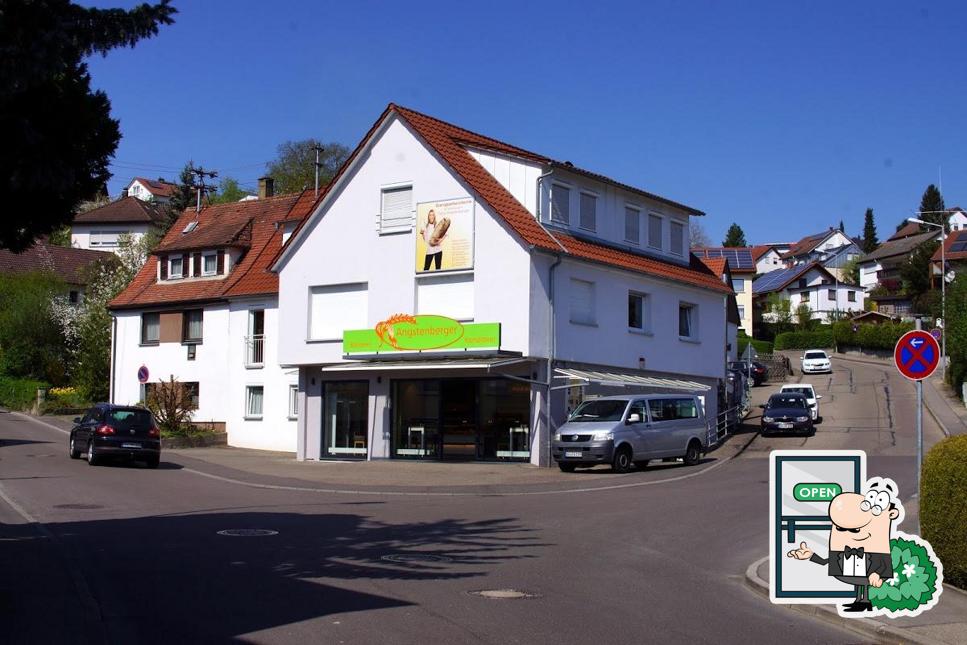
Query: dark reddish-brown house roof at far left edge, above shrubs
[73,266]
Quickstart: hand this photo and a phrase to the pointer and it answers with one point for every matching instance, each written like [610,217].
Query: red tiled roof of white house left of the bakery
[220,225]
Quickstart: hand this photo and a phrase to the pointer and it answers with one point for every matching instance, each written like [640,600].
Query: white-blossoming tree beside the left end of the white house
[92,369]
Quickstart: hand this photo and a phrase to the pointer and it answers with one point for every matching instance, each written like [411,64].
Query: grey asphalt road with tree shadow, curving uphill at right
[125,554]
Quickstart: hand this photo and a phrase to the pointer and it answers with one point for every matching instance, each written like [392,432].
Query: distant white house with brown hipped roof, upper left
[101,227]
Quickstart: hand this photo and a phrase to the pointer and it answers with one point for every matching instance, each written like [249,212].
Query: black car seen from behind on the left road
[119,431]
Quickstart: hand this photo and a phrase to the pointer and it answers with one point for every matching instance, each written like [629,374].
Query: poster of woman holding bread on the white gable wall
[444,235]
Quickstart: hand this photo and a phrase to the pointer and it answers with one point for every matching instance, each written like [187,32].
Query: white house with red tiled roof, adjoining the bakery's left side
[204,309]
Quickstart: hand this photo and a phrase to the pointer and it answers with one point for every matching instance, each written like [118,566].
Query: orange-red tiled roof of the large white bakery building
[451,144]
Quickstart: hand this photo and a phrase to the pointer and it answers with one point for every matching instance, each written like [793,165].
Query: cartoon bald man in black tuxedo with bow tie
[859,541]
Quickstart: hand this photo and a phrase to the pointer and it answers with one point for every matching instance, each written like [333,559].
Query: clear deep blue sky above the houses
[783,117]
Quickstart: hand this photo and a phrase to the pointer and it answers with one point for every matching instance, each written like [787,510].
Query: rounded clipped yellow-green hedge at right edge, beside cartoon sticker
[943,506]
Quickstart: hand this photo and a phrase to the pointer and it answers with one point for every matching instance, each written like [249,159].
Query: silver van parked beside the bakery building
[630,430]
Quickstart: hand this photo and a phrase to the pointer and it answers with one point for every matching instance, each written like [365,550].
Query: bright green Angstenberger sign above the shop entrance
[405,333]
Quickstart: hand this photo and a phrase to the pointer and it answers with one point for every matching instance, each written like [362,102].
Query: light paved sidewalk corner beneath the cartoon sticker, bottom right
[945,623]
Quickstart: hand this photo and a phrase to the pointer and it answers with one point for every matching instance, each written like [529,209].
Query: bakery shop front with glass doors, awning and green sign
[426,387]
